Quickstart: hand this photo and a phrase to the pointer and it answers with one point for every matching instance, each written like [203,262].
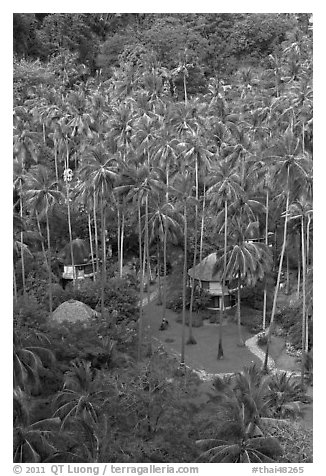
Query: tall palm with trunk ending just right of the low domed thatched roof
[100,170]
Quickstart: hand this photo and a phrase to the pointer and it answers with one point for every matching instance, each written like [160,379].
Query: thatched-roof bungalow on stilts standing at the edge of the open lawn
[206,277]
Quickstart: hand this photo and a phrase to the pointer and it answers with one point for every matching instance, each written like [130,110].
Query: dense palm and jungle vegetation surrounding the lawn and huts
[139,132]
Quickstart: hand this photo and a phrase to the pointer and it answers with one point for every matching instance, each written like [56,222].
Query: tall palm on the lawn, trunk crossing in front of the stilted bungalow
[225,188]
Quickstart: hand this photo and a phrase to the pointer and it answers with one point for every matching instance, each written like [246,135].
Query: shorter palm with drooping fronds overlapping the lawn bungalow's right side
[246,261]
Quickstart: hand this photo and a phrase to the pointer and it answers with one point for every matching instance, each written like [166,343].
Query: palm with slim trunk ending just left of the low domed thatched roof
[42,195]
